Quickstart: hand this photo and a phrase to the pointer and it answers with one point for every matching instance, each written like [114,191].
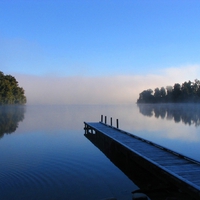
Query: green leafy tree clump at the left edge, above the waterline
[10,92]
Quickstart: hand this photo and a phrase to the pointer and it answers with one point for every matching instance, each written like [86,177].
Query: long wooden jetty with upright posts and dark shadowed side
[176,172]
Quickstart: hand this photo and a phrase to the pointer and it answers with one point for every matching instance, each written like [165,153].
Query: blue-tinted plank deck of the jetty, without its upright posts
[180,170]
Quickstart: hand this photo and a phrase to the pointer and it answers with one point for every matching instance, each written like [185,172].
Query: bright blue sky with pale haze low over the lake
[93,42]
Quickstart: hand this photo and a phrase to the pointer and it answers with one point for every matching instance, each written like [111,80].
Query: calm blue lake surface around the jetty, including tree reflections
[45,155]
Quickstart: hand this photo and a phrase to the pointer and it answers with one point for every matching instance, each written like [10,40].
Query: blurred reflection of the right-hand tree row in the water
[187,113]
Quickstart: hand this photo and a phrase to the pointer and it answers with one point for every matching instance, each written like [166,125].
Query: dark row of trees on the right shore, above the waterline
[187,92]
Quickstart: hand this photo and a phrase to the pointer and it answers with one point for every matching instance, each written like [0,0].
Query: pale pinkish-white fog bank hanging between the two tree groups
[99,90]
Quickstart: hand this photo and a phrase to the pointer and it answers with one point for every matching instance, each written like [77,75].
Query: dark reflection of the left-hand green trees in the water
[10,116]
